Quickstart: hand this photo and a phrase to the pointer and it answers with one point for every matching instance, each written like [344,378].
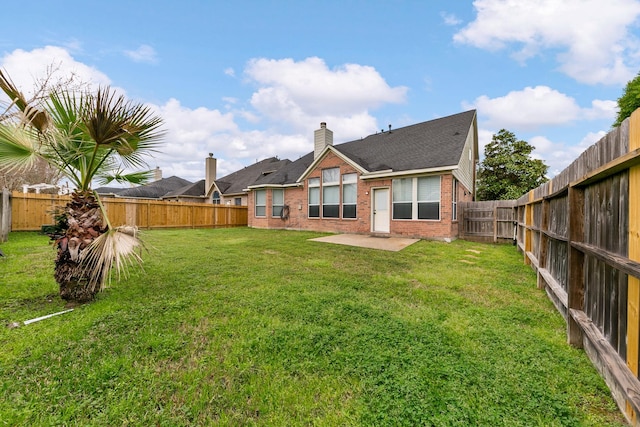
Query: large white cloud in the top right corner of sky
[592,35]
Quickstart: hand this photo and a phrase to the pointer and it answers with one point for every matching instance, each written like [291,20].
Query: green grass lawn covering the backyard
[263,327]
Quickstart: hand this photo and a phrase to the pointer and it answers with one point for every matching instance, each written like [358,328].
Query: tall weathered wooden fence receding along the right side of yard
[581,233]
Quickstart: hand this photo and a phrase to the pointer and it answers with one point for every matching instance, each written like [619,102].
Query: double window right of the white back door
[416,198]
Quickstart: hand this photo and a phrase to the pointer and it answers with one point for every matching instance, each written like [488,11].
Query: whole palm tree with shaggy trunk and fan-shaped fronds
[88,137]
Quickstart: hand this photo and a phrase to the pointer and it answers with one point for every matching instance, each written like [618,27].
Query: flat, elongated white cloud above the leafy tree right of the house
[534,107]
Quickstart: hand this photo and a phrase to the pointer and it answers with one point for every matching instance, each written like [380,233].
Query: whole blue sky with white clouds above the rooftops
[247,80]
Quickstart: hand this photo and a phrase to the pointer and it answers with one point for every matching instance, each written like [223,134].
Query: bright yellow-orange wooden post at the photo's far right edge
[633,283]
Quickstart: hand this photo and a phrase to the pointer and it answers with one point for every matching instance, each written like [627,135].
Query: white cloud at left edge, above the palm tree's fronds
[27,67]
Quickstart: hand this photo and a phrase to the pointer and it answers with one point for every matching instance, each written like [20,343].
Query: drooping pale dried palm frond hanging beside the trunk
[116,249]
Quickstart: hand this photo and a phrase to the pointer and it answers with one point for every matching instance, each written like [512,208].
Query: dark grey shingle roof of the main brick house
[428,145]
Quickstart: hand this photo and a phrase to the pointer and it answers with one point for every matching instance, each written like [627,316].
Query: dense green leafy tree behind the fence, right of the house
[507,170]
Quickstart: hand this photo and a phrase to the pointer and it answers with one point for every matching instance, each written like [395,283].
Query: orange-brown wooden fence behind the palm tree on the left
[31,211]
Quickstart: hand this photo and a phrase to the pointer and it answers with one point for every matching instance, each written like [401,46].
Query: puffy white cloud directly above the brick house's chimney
[303,94]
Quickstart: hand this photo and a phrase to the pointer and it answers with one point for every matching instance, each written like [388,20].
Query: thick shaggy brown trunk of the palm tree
[84,223]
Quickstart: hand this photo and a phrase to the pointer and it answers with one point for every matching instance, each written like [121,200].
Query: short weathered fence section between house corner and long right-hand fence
[493,221]
